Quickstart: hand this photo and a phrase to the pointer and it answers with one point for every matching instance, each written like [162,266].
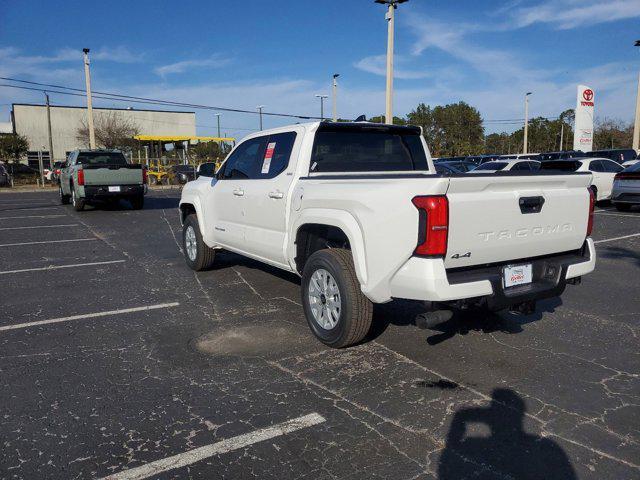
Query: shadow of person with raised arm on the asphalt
[491,441]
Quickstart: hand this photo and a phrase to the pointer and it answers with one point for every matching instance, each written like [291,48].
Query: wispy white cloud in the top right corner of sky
[567,14]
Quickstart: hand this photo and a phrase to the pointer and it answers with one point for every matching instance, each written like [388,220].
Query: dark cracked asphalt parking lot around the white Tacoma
[116,359]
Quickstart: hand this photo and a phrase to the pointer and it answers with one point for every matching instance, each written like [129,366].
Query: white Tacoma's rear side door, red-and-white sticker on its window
[266,198]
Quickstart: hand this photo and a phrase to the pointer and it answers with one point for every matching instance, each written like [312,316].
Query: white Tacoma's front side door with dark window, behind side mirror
[225,206]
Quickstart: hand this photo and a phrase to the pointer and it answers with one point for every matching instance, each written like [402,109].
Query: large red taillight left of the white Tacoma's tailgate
[433,229]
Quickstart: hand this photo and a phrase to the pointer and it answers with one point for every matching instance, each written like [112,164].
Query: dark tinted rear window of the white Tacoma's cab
[367,150]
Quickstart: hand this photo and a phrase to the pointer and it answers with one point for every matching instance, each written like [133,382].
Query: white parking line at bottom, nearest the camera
[234,443]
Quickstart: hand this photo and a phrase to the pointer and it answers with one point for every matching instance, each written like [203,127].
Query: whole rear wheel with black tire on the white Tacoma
[337,312]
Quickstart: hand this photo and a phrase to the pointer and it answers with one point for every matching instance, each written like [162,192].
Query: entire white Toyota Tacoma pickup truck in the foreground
[357,210]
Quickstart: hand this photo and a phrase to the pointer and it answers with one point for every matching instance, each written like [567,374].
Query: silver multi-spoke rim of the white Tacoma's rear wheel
[324,299]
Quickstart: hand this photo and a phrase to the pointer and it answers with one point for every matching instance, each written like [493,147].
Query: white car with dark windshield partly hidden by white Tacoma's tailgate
[602,169]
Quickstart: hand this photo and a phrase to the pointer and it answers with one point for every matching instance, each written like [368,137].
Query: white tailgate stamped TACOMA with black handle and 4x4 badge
[498,218]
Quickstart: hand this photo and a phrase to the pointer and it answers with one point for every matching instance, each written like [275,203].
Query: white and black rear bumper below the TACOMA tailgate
[428,280]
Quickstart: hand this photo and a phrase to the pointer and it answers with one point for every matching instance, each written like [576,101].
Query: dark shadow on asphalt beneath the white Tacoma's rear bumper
[403,313]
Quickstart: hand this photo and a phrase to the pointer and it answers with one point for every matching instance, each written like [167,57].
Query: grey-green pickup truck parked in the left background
[93,176]
